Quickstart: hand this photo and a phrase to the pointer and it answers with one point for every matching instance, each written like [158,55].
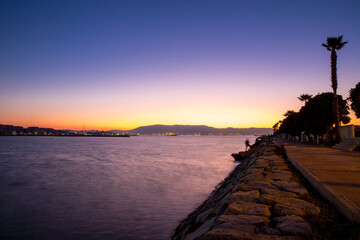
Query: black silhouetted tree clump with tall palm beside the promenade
[322,114]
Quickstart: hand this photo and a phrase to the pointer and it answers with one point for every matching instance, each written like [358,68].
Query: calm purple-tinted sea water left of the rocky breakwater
[107,188]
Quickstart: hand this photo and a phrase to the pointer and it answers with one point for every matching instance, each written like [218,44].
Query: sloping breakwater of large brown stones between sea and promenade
[260,199]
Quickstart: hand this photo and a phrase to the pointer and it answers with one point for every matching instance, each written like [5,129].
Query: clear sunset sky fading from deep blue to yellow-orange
[124,64]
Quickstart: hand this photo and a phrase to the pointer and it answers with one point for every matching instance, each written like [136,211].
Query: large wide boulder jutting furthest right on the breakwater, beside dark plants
[295,206]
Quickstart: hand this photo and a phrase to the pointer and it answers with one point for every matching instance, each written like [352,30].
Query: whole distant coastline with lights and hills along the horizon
[152,130]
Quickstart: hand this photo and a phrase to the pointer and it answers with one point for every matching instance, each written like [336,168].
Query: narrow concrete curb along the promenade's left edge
[344,206]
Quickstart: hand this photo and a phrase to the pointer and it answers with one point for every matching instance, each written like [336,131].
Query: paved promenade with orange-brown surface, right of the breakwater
[334,173]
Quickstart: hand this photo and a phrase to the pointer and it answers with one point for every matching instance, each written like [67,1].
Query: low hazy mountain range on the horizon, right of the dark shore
[194,129]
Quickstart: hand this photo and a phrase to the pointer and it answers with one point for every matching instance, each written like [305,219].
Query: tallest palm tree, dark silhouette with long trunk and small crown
[333,44]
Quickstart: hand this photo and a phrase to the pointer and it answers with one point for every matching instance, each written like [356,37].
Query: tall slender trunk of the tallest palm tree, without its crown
[334,87]
